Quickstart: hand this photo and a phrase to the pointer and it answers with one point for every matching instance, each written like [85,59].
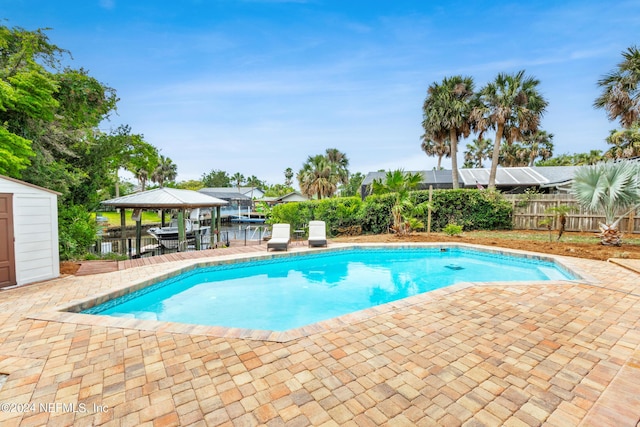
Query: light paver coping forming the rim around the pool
[70,312]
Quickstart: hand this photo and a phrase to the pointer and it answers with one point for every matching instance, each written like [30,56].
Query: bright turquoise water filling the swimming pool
[289,292]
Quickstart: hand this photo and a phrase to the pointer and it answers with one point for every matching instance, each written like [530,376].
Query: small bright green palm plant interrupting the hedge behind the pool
[403,211]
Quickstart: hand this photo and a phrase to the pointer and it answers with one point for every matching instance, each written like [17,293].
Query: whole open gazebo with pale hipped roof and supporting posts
[165,198]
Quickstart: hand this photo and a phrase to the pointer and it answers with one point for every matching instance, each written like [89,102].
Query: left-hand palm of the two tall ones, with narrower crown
[447,108]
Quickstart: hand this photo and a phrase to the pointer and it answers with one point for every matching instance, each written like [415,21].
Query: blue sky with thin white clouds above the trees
[256,86]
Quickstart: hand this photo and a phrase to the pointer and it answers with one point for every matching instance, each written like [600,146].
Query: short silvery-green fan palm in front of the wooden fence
[612,188]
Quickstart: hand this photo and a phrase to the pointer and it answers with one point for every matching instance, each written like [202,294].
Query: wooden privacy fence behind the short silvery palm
[529,210]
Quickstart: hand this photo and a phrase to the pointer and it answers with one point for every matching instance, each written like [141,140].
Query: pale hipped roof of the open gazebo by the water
[165,198]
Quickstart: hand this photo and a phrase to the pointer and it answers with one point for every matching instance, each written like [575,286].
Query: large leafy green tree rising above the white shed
[49,116]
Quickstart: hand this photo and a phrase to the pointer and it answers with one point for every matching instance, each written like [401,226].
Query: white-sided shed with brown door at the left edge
[28,233]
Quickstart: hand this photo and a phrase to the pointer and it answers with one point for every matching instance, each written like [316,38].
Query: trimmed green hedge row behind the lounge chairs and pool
[472,209]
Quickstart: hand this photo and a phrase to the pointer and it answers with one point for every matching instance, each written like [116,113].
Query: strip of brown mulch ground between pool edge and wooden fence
[523,240]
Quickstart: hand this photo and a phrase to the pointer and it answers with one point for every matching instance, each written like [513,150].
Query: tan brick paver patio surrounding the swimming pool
[554,354]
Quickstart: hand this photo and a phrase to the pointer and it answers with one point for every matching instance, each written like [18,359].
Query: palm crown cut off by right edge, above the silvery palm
[620,95]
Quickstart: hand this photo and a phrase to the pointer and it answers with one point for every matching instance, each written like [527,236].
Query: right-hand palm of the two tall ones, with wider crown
[512,105]
